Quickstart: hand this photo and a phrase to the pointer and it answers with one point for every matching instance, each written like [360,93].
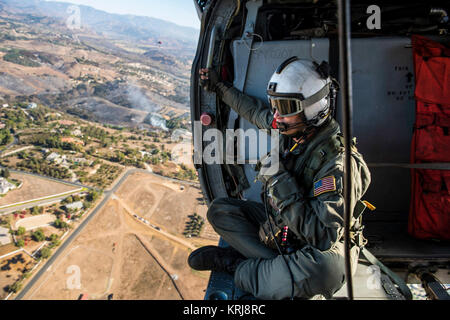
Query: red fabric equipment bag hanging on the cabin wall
[429,216]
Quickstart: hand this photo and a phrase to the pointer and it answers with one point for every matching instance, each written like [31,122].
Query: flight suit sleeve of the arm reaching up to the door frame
[251,109]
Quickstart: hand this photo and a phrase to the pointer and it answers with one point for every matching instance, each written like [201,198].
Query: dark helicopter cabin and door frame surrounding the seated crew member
[370,48]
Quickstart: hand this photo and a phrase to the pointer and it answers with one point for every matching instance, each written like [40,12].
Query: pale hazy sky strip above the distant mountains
[181,12]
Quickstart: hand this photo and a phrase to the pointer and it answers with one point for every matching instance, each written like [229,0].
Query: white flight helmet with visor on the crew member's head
[302,86]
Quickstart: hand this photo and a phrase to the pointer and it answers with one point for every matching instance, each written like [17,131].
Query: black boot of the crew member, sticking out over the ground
[215,259]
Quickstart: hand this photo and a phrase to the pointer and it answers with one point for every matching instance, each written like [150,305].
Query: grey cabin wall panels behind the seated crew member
[383,107]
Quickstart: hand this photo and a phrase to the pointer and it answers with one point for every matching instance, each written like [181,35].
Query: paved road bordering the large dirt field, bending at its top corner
[77,231]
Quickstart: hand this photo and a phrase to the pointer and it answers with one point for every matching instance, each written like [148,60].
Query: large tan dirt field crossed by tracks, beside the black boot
[116,253]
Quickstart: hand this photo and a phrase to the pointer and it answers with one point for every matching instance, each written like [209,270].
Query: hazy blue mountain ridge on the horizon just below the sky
[108,24]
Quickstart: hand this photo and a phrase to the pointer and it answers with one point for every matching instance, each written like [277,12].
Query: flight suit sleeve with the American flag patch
[317,220]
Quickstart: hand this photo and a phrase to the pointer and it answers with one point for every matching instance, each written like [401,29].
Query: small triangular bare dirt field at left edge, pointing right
[33,187]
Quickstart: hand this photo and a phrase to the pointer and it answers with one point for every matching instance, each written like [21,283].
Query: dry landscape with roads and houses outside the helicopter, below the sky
[99,198]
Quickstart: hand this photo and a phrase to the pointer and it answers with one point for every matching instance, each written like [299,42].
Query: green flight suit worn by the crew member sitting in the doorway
[315,222]
